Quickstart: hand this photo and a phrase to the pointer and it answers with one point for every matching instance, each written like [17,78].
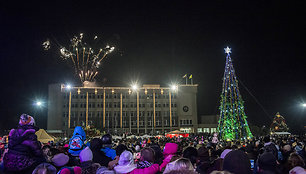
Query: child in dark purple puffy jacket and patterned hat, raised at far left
[24,151]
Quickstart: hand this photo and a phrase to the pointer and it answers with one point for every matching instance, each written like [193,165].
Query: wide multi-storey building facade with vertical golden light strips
[147,109]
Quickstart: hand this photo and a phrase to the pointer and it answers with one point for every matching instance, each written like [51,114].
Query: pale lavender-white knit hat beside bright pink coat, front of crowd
[125,163]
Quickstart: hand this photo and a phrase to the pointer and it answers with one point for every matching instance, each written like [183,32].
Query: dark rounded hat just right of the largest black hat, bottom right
[267,161]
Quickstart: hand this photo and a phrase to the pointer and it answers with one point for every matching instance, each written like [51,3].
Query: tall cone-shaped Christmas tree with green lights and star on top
[232,123]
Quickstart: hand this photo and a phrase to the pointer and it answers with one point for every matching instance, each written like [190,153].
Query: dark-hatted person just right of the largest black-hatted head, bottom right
[267,164]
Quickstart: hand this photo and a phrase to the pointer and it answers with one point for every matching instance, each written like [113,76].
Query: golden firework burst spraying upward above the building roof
[86,59]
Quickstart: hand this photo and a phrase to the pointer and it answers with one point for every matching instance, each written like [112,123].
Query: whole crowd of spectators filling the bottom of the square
[195,154]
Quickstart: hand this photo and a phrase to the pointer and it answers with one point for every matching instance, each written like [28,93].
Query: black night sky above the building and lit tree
[158,42]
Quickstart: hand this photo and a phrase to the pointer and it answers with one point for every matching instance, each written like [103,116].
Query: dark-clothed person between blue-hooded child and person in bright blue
[98,155]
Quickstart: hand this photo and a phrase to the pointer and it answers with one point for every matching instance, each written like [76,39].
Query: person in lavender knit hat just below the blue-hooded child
[88,167]
